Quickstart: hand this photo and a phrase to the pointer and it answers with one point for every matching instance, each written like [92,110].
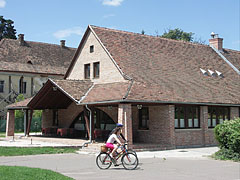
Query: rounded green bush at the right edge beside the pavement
[228,136]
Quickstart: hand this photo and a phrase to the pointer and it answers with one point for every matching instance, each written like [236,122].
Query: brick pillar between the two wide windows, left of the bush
[204,123]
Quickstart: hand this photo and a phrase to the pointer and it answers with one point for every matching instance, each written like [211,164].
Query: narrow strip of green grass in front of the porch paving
[20,151]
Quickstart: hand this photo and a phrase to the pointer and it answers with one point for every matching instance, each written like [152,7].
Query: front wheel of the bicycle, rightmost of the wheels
[129,161]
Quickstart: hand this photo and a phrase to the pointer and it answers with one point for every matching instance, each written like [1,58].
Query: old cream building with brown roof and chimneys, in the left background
[25,66]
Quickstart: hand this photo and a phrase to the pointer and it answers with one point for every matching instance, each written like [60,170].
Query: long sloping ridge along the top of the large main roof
[150,36]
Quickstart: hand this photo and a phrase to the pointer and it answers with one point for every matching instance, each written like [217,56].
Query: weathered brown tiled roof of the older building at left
[34,57]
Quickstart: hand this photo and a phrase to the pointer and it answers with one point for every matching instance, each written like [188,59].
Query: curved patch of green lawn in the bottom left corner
[23,173]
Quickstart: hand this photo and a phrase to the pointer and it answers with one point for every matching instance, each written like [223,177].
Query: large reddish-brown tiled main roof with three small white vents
[169,70]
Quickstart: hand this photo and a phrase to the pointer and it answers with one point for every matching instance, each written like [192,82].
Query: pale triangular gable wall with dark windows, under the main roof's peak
[109,72]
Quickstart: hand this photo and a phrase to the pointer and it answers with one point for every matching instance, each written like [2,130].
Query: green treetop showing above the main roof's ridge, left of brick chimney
[178,34]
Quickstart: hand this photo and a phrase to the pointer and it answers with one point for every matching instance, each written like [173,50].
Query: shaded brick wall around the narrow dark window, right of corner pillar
[161,126]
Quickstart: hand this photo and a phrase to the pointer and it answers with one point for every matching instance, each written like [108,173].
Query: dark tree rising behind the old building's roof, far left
[7,29]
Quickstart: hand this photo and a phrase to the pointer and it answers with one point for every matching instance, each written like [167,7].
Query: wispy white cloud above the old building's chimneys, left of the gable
[68,32]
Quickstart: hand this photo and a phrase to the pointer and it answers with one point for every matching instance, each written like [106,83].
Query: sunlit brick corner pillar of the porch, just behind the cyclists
[125,118]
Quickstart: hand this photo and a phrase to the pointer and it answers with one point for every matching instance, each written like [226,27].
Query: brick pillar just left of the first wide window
[171,115]
